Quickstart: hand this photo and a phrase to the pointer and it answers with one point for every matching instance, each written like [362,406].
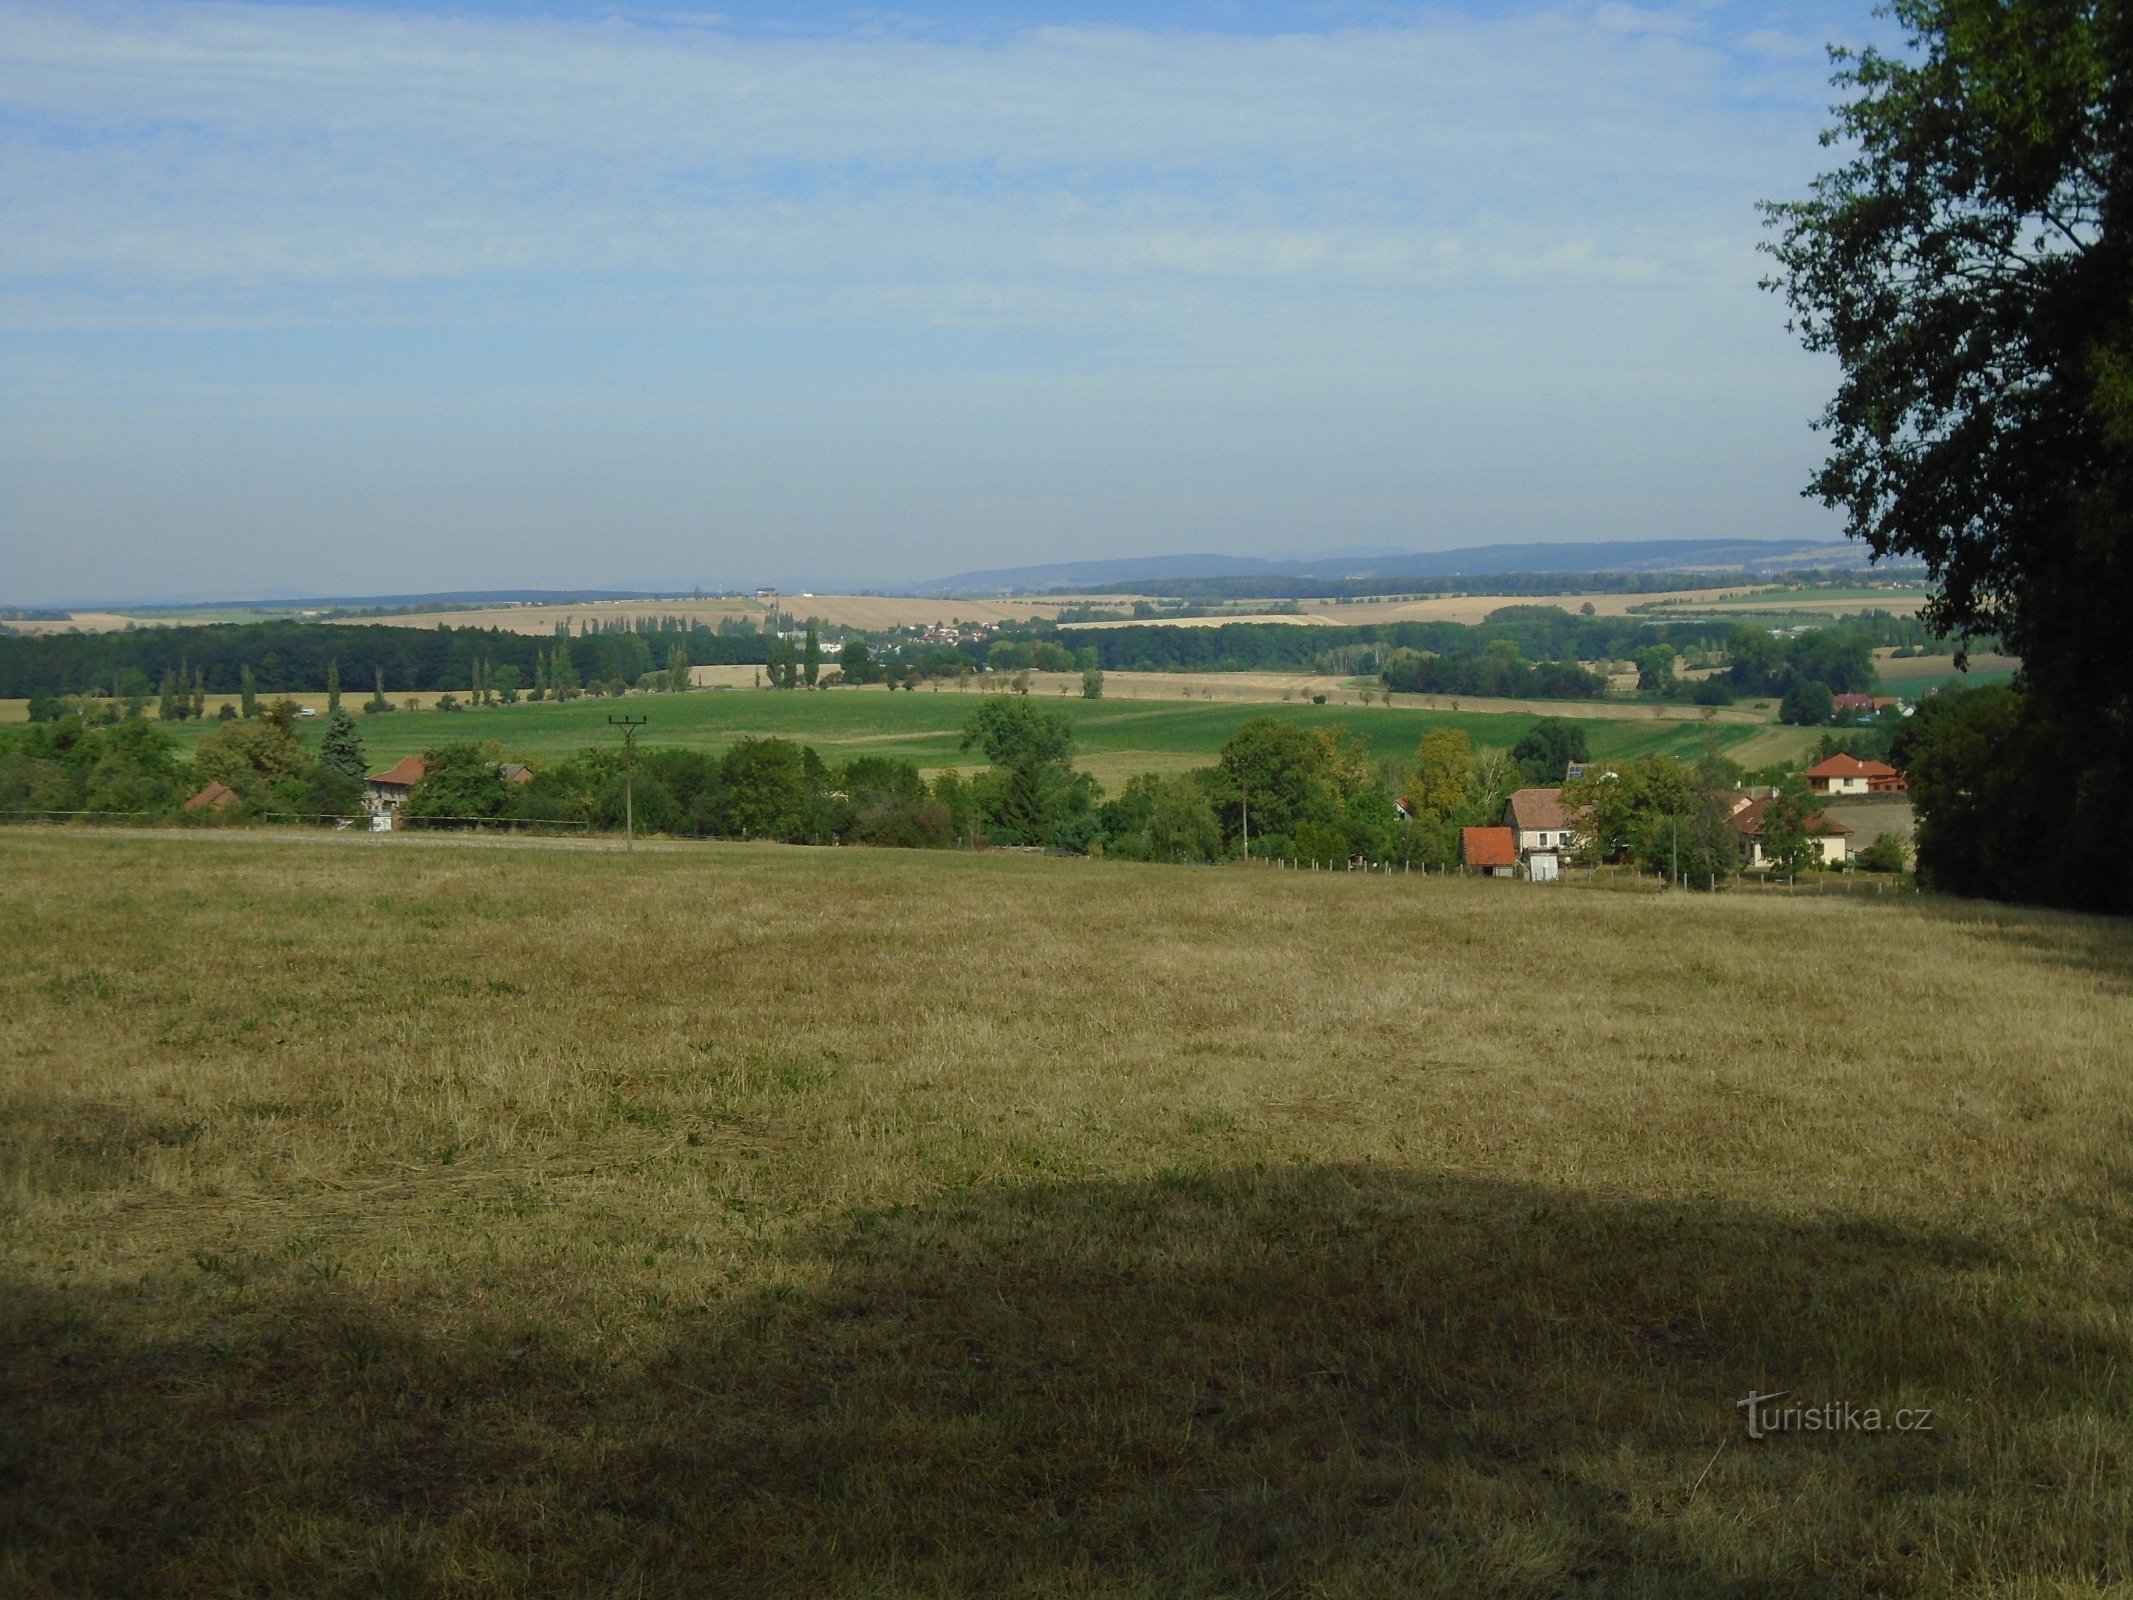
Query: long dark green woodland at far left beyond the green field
[293,658]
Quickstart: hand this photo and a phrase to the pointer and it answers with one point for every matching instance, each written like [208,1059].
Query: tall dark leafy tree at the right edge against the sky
[1968,266]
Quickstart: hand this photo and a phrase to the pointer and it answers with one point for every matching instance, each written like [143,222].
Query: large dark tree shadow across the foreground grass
[1217,1381]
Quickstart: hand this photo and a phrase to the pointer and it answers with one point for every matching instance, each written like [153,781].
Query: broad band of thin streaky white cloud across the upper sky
[206,157]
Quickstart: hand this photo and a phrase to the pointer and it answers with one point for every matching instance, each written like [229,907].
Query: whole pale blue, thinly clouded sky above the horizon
[402,298]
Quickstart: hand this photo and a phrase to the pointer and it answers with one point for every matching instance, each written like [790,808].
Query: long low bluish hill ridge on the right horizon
[1481,560]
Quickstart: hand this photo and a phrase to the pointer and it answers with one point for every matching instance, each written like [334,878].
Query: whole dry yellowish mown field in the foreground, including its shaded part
[415,1217]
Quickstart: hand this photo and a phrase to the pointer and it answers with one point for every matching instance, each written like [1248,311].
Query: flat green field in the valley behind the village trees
[1112,739]
